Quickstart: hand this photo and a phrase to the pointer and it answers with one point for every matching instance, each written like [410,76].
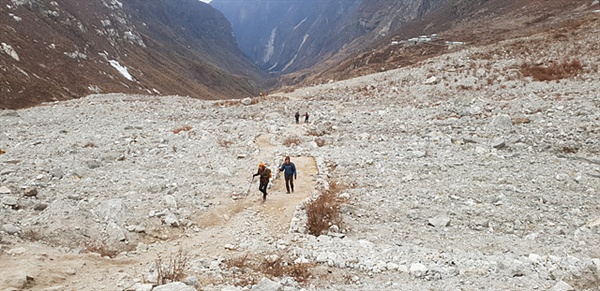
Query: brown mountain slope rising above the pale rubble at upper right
[472,22]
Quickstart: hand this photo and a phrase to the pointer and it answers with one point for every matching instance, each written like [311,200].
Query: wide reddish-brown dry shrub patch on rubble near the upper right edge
[555,71]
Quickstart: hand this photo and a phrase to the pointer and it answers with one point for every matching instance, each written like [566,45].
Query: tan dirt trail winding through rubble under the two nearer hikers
[227,223]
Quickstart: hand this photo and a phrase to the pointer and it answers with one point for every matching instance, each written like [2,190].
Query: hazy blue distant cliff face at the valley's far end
[286,36]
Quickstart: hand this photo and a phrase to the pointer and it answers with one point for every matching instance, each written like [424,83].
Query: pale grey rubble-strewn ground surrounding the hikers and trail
[475,170]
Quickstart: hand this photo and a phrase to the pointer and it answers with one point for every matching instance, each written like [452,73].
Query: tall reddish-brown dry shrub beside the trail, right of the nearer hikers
[324,211]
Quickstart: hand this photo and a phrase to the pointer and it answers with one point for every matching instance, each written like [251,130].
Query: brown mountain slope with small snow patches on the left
[63,49]
